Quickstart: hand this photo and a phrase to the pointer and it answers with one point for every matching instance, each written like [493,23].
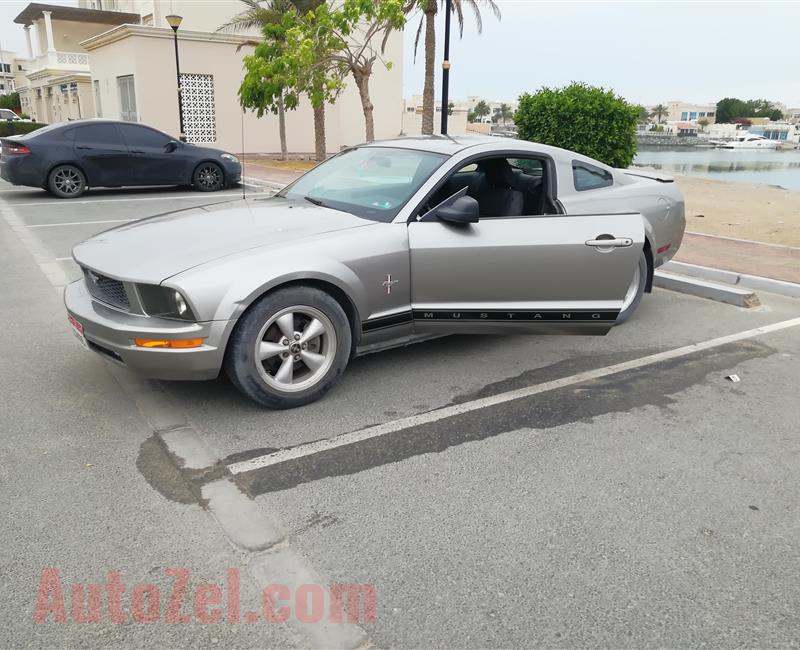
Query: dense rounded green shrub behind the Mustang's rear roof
[582,118]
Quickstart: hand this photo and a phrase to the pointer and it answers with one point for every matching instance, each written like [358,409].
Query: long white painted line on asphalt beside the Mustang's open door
[352,437]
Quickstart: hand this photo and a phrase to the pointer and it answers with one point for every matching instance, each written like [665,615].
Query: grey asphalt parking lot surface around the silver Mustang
[651,504]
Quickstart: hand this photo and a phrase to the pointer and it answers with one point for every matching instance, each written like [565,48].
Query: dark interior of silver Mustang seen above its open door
[502,186]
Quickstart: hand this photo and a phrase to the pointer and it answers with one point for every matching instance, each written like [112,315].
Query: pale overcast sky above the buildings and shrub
[648,51]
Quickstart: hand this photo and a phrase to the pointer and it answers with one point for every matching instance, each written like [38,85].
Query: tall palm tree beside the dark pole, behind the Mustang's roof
[429,10]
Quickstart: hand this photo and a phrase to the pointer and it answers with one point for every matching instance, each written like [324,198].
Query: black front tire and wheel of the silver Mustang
[258,379]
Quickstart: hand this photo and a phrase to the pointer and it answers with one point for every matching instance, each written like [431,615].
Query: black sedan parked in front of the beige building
[69,157]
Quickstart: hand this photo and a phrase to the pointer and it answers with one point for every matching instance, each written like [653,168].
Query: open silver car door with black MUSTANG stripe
[552,274]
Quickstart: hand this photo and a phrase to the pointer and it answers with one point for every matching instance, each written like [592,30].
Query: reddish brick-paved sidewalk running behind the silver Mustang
[751,258]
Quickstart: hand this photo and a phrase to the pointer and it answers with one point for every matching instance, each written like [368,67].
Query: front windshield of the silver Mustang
[369,182]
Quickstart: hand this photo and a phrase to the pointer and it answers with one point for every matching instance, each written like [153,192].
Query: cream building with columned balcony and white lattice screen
[115,59]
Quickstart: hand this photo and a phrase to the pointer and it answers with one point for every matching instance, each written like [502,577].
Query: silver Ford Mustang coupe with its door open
[381,245]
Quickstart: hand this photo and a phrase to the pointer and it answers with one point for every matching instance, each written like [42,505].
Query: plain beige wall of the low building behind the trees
[147,53]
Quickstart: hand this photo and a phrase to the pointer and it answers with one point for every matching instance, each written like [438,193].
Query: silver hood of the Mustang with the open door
[153,249]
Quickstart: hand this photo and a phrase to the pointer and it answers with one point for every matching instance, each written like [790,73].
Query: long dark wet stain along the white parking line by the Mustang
[652,385]
